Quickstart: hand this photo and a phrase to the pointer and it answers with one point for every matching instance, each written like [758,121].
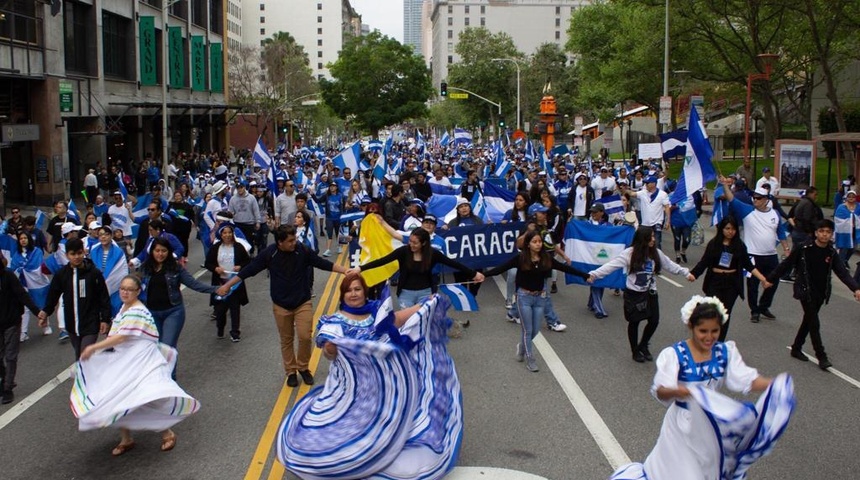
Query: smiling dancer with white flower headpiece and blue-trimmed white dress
[706,435]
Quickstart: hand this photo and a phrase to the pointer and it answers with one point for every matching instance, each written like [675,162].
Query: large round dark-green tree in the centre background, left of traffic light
[377,82]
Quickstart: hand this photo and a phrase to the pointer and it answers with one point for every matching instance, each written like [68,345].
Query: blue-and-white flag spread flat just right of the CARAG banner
[590,246]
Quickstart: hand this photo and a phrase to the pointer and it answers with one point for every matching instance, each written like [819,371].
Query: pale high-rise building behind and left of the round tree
[320,26]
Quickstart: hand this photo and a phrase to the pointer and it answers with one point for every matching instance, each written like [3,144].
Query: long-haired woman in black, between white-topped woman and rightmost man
[723,263]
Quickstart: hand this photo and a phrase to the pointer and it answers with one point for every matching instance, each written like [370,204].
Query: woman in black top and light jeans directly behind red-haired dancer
[417,260]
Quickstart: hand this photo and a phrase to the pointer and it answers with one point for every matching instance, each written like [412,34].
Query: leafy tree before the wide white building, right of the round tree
[477,72]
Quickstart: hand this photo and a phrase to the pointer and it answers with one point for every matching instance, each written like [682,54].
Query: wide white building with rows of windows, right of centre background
[530,23]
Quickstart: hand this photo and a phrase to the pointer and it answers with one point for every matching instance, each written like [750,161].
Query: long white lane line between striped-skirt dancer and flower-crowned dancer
[604,438]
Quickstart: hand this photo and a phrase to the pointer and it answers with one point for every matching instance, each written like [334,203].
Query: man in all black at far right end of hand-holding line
[813,261]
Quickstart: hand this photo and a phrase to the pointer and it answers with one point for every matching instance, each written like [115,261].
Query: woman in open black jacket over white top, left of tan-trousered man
[225,259]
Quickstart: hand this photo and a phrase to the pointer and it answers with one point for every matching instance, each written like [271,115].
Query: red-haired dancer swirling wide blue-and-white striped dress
[390,374]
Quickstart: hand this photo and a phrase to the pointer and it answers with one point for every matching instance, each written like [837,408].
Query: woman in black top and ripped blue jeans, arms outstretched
[534,265]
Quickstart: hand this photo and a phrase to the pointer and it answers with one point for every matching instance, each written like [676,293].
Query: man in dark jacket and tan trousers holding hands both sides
[287,262]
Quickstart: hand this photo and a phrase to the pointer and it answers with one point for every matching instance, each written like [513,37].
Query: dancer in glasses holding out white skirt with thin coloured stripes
[124,380]
